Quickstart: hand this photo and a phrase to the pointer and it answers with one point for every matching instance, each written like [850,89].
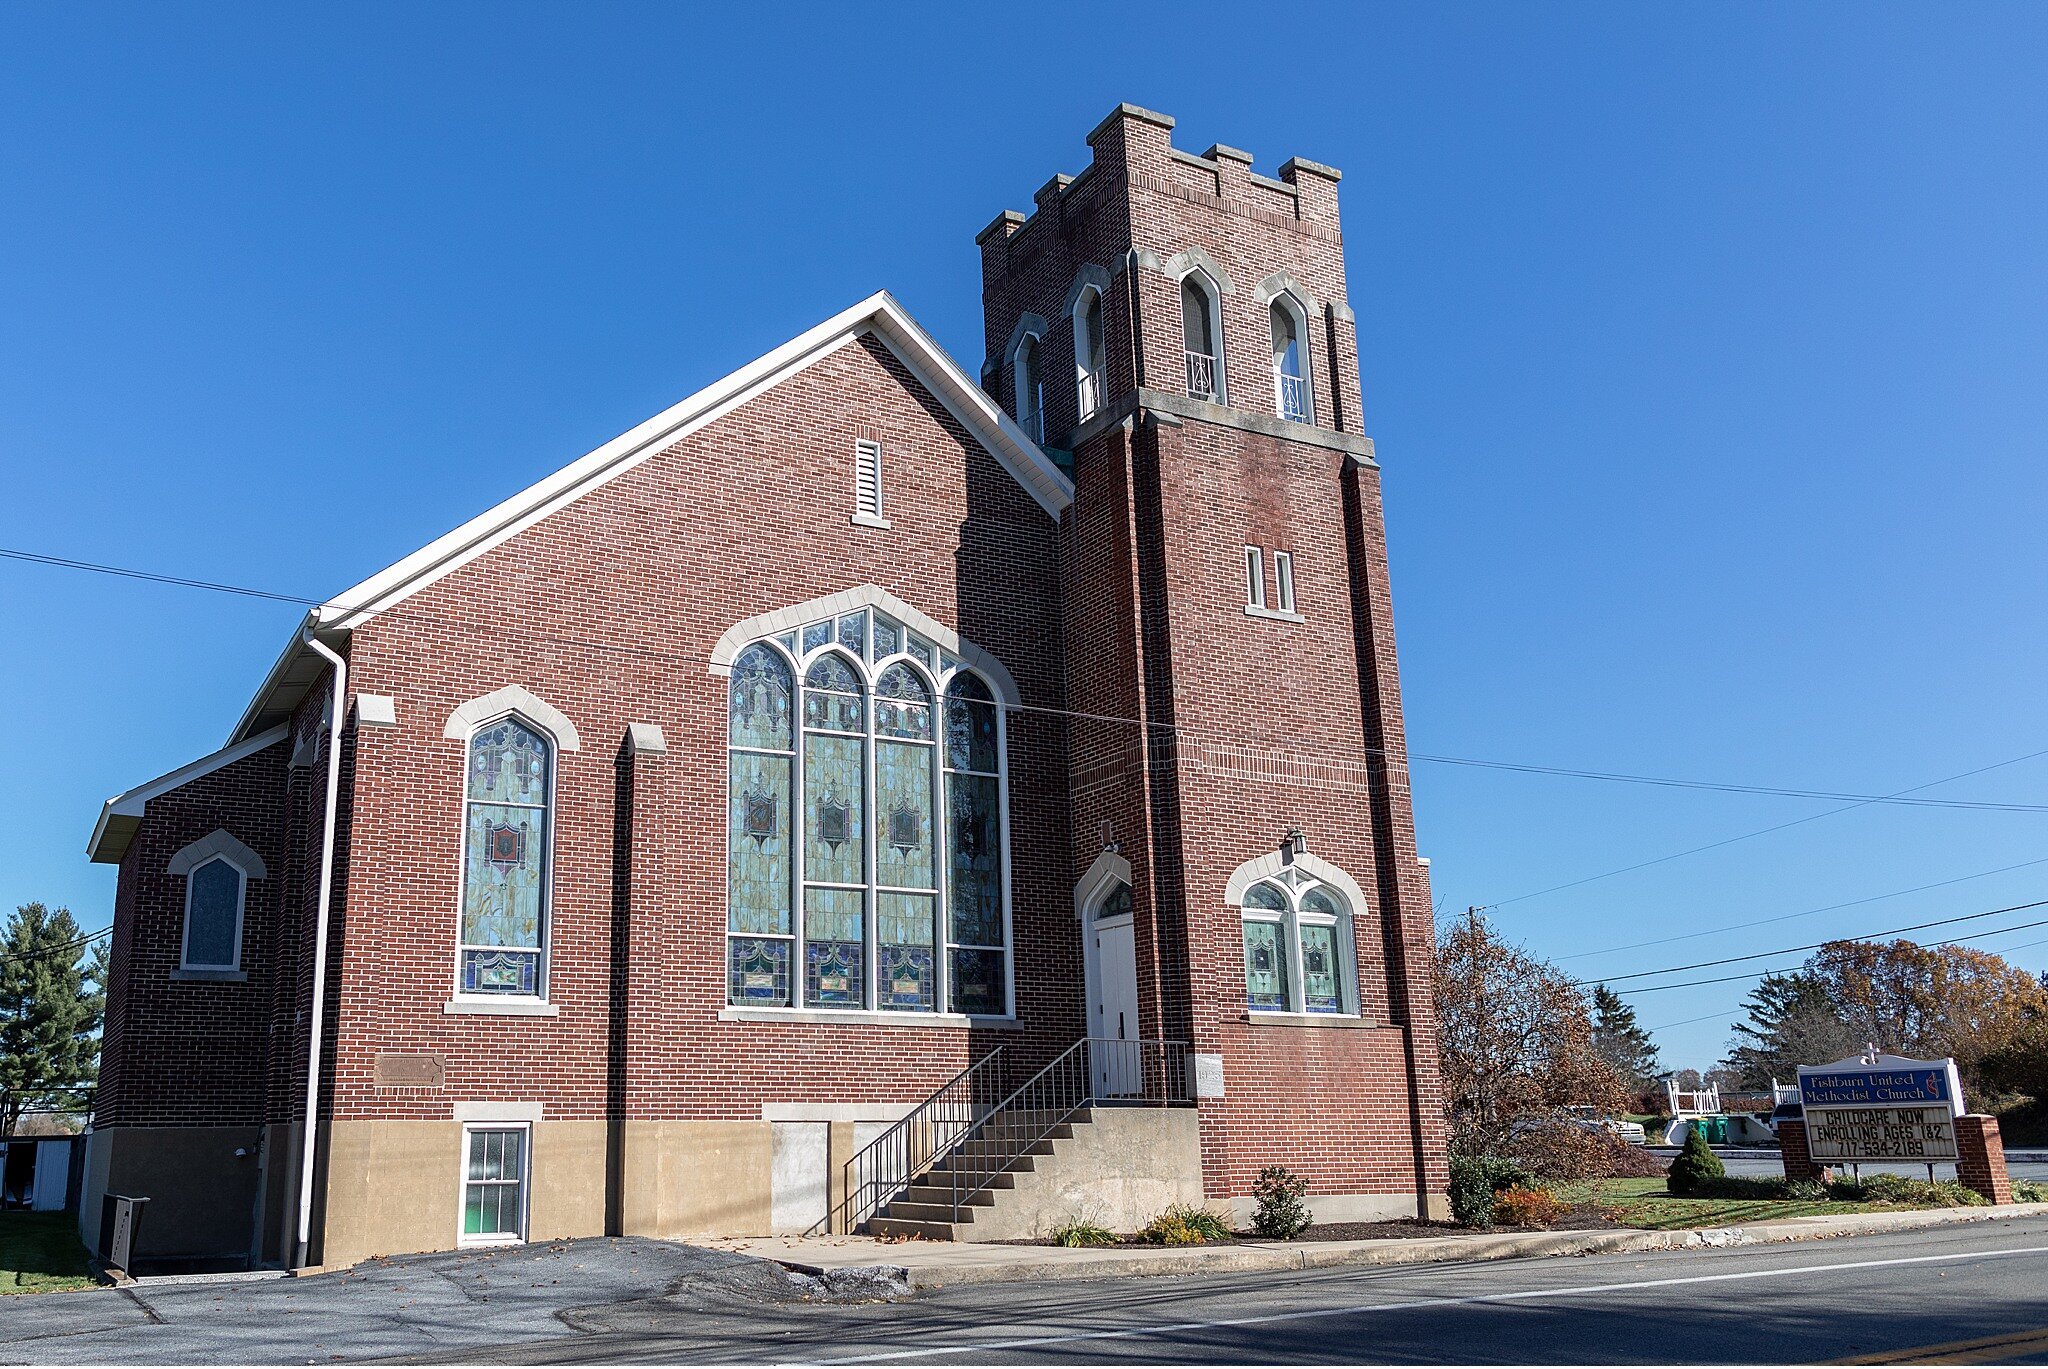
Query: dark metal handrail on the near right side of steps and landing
[1091,1071]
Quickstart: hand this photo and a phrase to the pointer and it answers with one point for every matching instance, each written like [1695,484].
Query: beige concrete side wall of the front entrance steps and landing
[1121,1171]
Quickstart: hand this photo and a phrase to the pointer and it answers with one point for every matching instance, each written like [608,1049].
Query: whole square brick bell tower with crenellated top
[1177,333]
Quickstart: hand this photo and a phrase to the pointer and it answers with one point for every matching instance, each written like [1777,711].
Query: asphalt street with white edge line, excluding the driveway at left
[1764,1304]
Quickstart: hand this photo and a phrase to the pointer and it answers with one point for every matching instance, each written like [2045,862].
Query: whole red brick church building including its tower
[861,796]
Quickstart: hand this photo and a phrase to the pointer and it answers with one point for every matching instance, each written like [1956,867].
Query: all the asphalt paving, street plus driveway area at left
[642,1302]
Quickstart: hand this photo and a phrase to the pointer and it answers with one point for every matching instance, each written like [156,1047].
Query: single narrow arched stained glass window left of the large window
[505,860]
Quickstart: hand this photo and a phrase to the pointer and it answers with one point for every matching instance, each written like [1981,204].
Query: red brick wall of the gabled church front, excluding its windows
[611,610]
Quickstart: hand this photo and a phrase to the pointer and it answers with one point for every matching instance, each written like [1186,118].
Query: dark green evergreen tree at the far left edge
[50,1013]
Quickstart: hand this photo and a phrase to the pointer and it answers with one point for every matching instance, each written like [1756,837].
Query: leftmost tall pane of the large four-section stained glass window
[761,858]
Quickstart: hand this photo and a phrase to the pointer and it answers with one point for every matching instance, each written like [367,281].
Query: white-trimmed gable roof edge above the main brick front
[880,315]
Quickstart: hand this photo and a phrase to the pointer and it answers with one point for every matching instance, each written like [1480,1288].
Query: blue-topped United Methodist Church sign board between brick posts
[1881,1108]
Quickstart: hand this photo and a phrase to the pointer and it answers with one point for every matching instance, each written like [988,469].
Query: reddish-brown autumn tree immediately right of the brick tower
[1517,1040]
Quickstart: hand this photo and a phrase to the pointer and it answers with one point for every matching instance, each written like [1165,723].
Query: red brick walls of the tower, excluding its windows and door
[1244,727]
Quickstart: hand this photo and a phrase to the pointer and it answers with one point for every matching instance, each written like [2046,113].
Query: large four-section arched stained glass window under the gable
[890,755]
